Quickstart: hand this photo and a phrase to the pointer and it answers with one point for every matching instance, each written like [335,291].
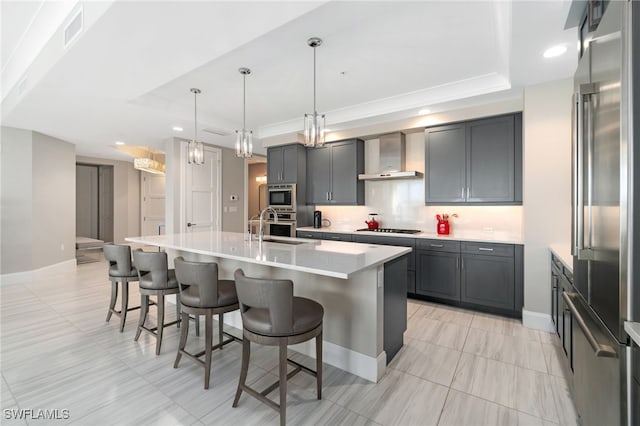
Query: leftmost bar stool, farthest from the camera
[121,271]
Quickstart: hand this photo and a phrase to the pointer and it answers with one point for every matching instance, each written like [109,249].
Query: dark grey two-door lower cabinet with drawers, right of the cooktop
[477,275]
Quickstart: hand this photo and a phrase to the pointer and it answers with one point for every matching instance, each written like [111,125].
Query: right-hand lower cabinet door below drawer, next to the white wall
[488,281]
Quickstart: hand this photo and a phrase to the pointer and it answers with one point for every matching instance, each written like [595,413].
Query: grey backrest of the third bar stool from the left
[203,275]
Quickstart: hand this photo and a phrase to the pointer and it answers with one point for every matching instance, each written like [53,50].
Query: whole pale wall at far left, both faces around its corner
[38,201]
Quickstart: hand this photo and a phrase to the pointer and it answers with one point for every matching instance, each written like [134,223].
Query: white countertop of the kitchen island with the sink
[330,258]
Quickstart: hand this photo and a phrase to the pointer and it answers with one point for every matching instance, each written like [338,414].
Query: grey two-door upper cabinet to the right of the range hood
[475,162]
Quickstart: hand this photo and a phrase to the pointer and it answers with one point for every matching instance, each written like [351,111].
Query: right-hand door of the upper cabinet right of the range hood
[491,160]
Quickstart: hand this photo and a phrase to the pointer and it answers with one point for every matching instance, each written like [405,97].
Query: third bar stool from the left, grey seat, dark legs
[202,293]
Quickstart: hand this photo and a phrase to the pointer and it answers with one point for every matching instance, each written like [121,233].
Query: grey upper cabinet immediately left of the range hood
[332,173]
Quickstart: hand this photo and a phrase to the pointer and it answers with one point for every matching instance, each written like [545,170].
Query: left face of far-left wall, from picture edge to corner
[16,196]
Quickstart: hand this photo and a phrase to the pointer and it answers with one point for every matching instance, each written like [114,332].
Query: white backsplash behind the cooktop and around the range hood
[399,203]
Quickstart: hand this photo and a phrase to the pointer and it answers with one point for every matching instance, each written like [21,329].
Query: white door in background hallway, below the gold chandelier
[153,199]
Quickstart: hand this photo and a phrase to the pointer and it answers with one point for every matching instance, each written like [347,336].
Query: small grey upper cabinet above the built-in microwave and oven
[286,164]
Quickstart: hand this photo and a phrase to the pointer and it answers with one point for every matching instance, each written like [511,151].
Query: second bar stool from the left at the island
[155,279]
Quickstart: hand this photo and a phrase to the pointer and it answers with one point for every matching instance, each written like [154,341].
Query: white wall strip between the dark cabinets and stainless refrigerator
[547,184]
